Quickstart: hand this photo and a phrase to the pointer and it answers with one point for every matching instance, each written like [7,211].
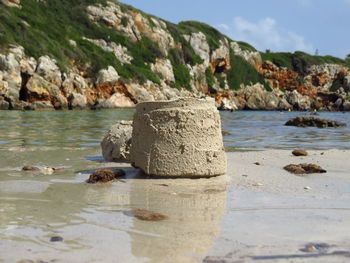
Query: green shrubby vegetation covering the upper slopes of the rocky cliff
[48,28]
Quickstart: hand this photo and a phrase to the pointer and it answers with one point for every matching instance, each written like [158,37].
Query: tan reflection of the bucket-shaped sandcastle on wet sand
[195,209]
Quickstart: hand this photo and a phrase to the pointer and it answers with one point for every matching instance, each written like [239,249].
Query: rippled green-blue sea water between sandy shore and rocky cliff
[246,129]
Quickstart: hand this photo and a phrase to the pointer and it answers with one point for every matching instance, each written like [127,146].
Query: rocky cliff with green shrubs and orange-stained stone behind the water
[105,54]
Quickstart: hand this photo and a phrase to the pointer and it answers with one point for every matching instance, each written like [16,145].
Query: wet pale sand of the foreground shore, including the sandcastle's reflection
[255,213]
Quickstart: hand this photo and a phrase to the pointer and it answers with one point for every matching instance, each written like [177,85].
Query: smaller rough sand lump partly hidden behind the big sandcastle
[117,142]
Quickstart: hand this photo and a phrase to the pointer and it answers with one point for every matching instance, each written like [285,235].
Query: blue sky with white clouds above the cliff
[277,25]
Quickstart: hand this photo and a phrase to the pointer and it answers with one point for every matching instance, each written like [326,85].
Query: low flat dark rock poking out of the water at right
[313,122]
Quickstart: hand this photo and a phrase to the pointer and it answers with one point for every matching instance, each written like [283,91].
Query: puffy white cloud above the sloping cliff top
[265,34]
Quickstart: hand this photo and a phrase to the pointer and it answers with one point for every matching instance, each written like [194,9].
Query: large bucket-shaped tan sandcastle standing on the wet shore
[180,138]
